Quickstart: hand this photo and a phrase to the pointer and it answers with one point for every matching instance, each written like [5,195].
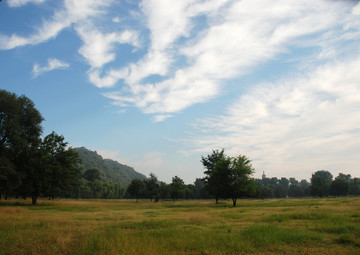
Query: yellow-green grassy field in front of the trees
[274,226]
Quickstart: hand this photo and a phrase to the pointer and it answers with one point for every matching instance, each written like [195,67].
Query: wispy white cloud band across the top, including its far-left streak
[191,48]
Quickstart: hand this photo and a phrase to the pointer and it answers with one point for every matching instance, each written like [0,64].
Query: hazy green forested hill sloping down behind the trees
[110,170]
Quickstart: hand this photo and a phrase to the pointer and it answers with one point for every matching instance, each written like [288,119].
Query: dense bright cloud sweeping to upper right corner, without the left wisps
[240,35]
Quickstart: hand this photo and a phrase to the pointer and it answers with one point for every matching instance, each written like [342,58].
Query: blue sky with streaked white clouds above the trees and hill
[156,84]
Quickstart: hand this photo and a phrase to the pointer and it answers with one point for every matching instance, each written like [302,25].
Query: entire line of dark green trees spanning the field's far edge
[31,166]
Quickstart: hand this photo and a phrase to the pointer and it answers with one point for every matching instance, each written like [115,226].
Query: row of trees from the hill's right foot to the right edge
[230,178]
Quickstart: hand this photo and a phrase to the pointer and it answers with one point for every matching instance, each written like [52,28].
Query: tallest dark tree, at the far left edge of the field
[20,130]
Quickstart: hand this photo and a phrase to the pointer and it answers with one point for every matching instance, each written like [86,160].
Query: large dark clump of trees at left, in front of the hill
[29,165]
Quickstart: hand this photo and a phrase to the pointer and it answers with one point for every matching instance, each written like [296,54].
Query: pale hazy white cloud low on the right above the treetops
[295,126]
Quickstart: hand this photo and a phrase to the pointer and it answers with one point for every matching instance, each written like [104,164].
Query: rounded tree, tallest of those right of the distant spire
[320,183]
